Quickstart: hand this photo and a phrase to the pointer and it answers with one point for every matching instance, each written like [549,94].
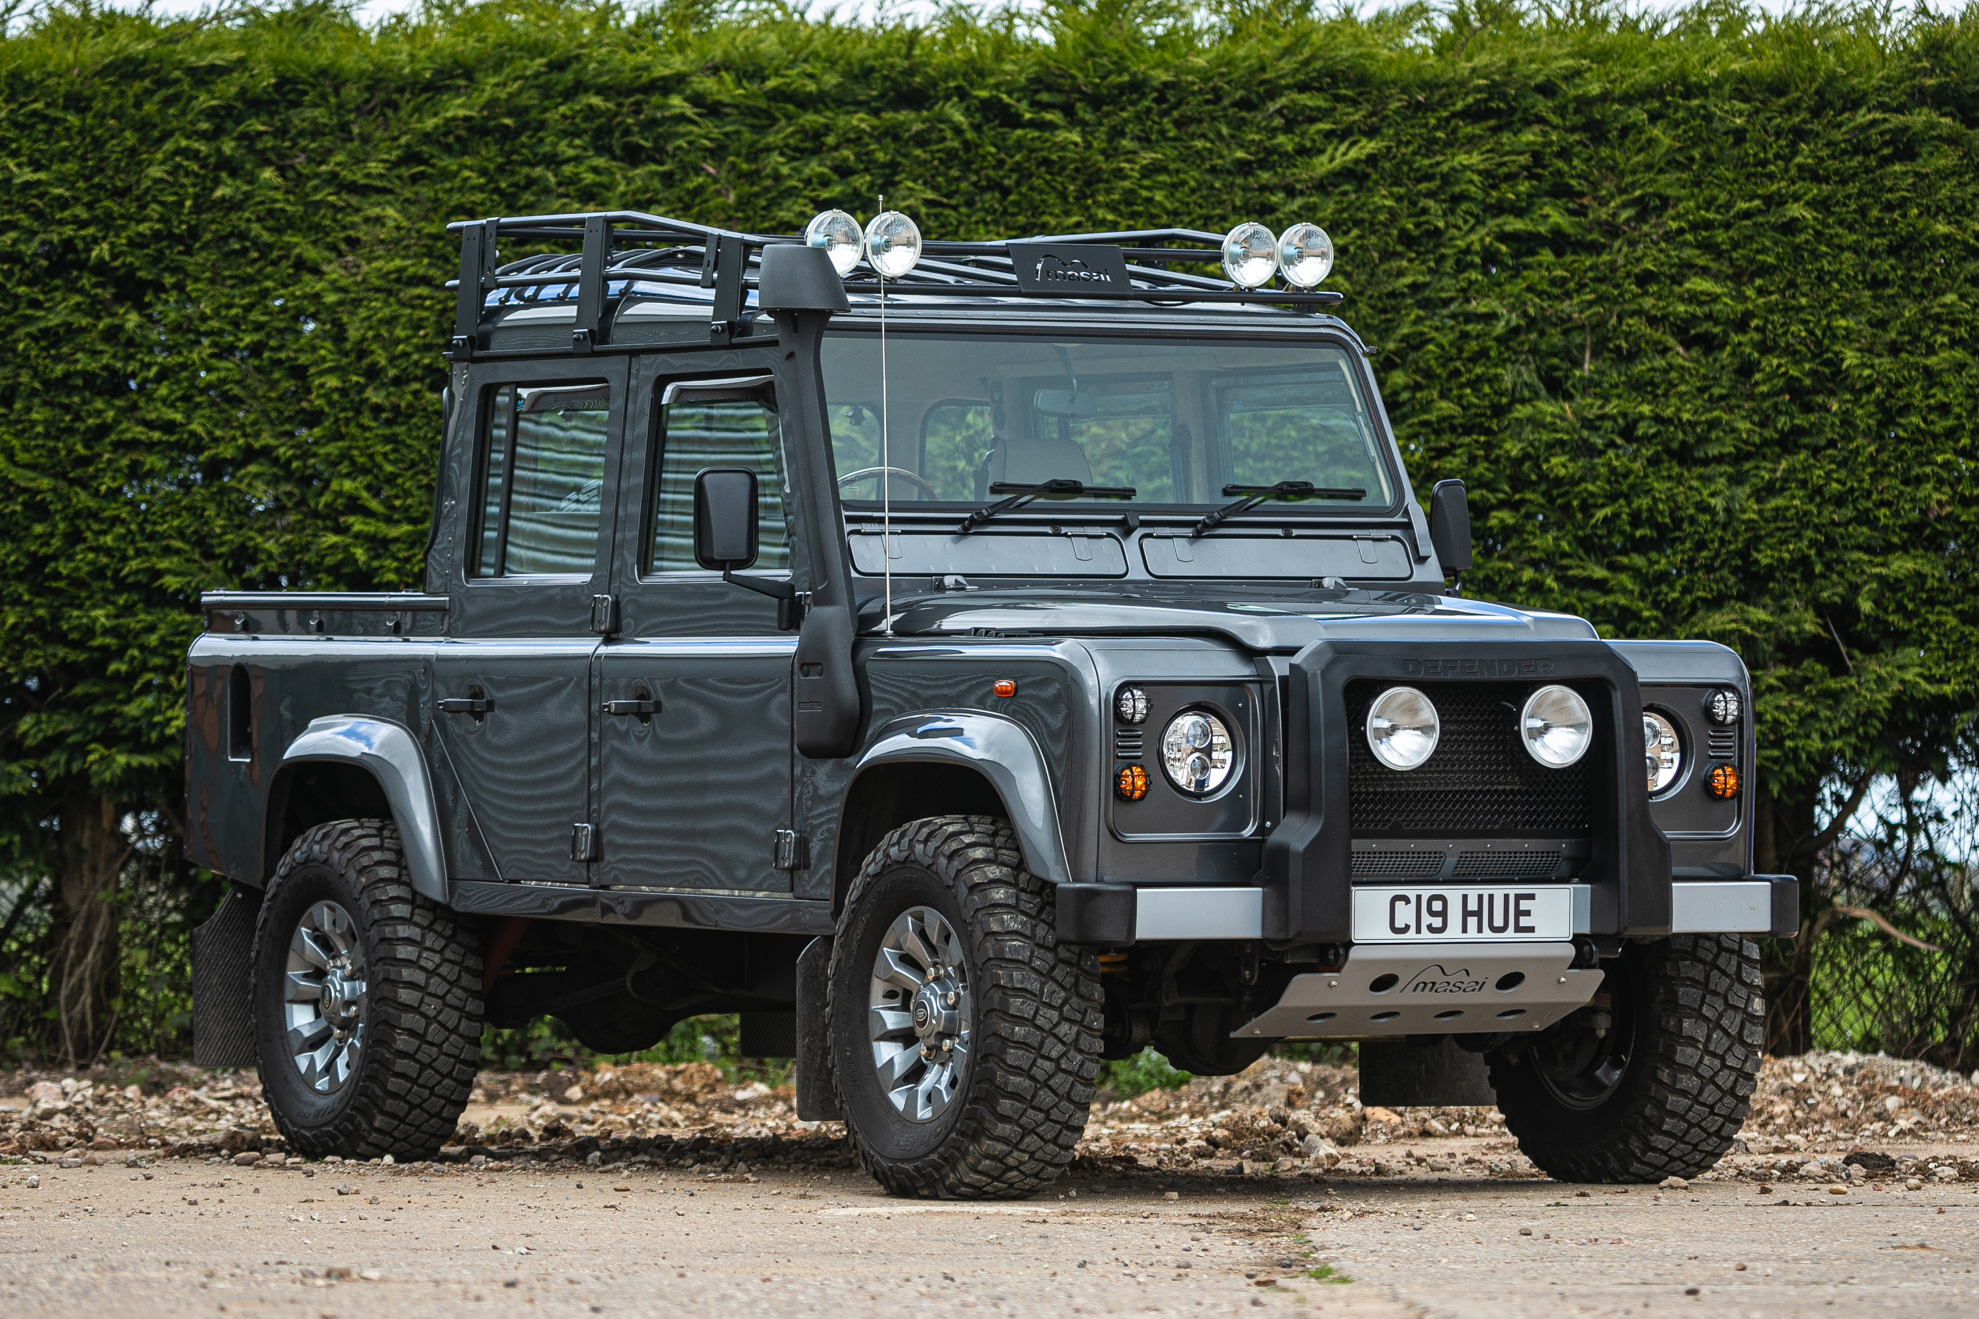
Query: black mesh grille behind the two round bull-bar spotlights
[1477,783]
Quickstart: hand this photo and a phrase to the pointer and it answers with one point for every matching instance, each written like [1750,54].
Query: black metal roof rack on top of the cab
[618,251]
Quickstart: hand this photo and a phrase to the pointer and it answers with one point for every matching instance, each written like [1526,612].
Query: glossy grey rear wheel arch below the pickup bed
[357,767]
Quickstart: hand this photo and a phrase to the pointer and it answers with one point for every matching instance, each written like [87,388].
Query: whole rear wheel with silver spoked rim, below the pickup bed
[367,1001]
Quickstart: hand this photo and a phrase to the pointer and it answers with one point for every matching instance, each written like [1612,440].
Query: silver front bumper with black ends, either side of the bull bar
[1119,914]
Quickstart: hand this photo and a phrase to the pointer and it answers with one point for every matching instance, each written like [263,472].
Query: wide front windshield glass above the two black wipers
[1177,421]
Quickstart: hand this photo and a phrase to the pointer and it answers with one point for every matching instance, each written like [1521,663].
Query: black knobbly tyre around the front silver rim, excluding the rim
[1026,1088]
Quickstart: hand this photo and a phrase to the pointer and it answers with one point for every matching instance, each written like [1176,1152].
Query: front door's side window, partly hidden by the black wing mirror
[698,435]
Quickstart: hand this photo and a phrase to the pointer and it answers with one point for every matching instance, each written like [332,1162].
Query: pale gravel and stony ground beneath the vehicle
[618,1193]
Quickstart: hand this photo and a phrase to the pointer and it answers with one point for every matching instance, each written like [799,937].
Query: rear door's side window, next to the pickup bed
[543,466]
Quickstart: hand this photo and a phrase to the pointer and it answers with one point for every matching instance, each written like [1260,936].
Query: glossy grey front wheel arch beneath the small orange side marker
[949,763]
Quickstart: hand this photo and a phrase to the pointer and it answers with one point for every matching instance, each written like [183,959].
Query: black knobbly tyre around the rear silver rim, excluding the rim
[423,1015]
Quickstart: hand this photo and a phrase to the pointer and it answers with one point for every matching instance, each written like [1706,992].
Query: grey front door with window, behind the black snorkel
[694,748]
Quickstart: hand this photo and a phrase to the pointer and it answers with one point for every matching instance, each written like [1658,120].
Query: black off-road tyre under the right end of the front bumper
[1697,1029]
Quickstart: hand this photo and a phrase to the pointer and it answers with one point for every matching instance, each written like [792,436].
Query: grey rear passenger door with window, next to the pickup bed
[516,688]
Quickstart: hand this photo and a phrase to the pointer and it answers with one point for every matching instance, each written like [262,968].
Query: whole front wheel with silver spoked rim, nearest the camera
[963,1037]
